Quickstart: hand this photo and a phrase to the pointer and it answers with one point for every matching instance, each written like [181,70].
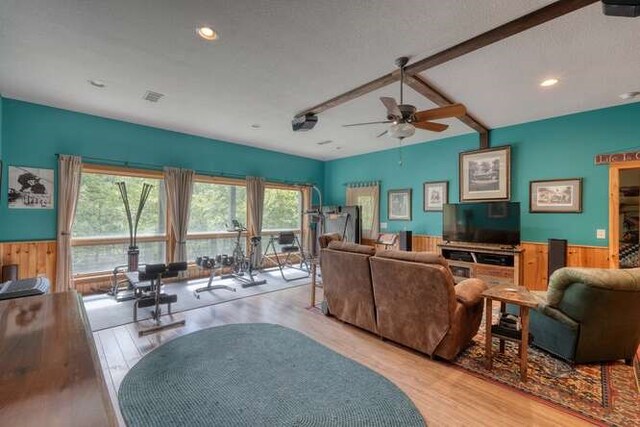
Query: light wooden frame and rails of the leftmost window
[91,168]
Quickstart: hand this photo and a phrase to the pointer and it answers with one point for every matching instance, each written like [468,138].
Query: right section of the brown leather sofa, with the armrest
[419,305]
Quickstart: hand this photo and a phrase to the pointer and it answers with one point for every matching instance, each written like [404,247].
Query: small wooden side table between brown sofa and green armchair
[509,294]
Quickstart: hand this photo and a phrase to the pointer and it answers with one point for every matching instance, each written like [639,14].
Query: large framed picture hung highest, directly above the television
[485,175]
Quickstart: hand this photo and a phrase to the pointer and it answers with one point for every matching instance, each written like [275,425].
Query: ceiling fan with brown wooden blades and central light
[405,118]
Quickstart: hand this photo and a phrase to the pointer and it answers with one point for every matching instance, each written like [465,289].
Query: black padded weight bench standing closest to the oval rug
[147,285]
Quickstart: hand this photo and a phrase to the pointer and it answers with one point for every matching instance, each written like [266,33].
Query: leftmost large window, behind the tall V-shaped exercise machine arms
[100,232]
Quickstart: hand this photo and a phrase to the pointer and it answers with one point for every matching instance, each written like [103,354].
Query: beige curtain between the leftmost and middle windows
[178,185]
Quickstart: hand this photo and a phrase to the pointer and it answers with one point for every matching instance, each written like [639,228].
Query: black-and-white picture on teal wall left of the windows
[30,188]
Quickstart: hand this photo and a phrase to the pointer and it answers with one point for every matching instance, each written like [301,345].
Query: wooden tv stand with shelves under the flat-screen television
[495,264]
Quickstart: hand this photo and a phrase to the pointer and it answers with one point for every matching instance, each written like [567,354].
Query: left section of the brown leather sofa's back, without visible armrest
[346,281]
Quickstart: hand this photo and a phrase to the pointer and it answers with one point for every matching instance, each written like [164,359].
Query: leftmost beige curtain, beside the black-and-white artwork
[69,176]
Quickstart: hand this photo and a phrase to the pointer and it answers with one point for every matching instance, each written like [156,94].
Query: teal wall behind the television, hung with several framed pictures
[562,147]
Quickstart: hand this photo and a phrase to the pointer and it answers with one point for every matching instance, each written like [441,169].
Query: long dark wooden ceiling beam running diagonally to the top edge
[525,22]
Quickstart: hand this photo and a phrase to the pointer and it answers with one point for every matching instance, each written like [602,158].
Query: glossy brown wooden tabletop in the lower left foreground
[50,374]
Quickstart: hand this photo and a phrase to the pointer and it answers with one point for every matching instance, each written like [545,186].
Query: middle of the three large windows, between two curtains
[213,207]
